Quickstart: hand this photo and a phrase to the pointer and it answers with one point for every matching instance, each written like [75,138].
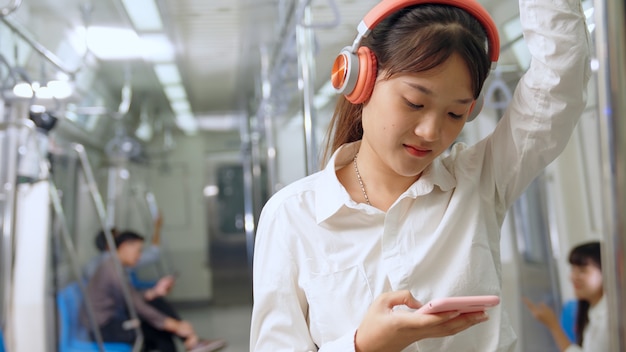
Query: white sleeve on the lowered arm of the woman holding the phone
[280,311]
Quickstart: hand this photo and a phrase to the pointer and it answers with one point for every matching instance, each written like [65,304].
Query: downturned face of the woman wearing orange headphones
[411,119]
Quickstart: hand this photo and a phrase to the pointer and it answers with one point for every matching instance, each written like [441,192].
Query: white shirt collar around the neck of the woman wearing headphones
[331,195]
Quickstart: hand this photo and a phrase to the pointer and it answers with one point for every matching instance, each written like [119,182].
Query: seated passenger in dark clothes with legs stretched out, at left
[159,328]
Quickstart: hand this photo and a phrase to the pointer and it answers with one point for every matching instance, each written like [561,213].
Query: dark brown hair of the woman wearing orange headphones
[414,39]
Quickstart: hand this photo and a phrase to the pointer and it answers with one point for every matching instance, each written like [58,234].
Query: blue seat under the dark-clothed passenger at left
[73,336]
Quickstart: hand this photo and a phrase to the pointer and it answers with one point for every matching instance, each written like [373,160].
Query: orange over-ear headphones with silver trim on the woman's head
[354,69]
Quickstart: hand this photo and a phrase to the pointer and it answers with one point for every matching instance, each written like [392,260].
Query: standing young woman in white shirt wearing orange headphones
[344,257]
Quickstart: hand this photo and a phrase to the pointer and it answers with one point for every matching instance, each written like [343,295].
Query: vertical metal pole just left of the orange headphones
[306,63]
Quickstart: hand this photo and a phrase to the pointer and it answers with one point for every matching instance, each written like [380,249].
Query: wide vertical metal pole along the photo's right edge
[611,53]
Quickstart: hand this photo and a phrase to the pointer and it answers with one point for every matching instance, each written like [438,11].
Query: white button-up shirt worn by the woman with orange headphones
[321,258]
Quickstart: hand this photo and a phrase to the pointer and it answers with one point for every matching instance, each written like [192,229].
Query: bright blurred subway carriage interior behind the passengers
[118,112]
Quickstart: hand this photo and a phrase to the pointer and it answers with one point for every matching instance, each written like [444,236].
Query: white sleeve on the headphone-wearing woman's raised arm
[549,99]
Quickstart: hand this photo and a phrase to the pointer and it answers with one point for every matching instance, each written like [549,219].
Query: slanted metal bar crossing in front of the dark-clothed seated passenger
[99,203]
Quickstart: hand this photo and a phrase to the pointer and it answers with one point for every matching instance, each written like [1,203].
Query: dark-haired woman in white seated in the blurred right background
[592,330]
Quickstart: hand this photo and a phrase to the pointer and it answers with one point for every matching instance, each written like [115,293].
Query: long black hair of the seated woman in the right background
[582,255]
